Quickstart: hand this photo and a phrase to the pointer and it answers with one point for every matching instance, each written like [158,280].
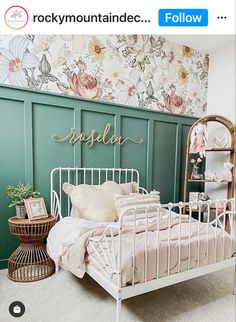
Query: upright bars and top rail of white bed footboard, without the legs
[108,254]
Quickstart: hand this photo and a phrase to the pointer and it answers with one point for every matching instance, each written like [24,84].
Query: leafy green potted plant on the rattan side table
[17,194]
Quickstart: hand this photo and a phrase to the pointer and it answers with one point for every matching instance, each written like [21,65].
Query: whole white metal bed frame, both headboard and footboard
[110,264]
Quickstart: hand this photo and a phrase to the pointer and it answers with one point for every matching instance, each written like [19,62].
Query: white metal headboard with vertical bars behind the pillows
[60,202]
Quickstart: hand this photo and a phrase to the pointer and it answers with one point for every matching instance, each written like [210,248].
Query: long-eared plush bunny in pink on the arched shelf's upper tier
[199,138]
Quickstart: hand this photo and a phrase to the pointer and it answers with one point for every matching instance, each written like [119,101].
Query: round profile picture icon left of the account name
[16,17]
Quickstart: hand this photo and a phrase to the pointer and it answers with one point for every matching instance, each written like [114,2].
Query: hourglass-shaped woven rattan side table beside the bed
[30,261]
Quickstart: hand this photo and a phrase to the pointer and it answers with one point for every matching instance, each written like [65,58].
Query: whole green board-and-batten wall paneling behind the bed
[27,152]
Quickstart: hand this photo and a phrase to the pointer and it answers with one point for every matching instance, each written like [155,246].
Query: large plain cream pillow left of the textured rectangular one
[94,202]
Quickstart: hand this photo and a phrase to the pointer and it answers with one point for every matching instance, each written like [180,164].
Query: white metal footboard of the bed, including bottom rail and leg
[109,260]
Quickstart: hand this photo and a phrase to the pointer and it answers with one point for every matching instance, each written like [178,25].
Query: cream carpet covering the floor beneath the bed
[65,298]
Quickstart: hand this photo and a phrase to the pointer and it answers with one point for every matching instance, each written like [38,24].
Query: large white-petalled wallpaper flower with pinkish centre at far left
[15,60]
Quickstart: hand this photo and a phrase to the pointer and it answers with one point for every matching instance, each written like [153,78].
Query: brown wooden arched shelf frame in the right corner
[231,149]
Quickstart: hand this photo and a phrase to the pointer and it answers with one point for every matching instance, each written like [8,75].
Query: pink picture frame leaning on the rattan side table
[35,208]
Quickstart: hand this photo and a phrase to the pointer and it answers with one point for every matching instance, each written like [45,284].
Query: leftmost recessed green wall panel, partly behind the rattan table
[12,163]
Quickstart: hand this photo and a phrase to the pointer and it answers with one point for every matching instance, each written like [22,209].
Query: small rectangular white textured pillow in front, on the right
[126,203]
